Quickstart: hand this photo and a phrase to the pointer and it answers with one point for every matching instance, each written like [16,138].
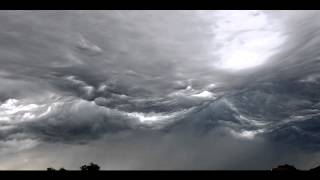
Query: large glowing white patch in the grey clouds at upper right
[246,39]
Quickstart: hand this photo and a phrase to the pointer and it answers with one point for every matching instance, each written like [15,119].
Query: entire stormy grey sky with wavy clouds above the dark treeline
[159,89]
